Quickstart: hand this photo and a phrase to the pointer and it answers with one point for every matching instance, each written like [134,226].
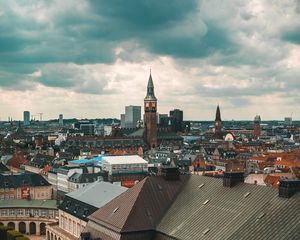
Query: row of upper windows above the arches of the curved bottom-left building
[27,212]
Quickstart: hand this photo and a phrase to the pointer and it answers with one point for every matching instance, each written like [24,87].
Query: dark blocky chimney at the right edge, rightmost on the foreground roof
[288,187]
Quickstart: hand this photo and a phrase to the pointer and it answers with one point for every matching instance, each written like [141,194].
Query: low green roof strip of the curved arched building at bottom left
[23,203]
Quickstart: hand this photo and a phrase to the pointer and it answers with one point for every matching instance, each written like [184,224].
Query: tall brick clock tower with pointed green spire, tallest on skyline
[150,119]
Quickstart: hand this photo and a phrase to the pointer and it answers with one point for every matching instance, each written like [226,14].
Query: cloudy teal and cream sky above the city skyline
[89,59]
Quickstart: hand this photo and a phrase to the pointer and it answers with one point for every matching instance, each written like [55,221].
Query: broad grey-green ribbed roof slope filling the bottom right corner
[205,209]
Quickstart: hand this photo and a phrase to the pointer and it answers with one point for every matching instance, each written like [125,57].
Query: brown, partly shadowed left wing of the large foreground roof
[141,207]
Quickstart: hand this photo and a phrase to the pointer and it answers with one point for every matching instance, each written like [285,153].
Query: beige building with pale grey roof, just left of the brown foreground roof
[78,205]
